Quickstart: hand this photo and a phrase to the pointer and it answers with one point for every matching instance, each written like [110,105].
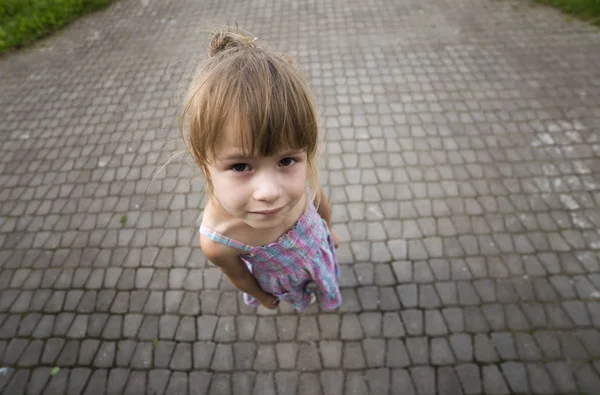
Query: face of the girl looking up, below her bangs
[261,191]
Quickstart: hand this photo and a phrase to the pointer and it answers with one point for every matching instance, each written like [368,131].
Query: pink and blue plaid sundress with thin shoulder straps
[285,267]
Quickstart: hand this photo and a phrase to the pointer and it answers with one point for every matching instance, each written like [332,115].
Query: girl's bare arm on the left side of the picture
[237,272]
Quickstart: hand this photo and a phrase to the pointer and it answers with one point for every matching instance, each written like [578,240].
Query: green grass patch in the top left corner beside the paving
[22,22]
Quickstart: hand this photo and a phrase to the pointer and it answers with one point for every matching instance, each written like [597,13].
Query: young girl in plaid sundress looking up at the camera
[252,130]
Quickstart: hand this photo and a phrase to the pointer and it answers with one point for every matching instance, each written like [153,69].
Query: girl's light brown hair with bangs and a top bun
[262,91]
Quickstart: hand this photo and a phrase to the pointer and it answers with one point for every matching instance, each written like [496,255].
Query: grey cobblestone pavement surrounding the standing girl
[462,142]
